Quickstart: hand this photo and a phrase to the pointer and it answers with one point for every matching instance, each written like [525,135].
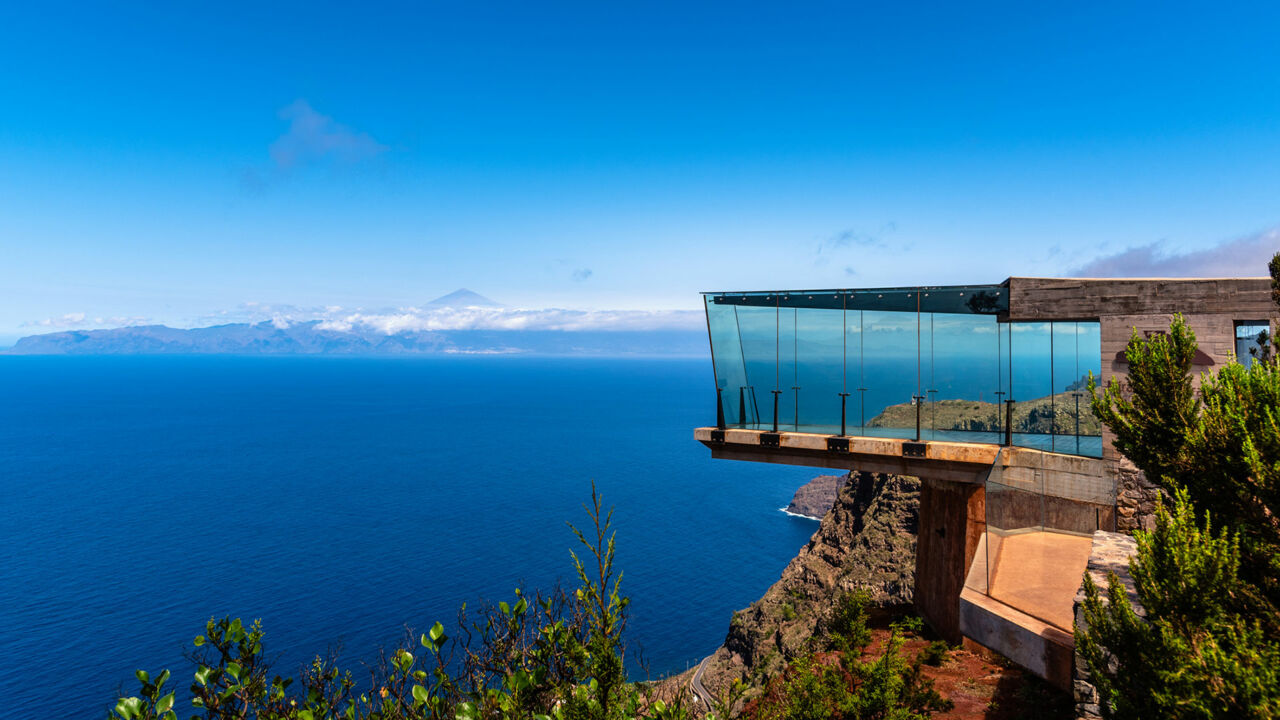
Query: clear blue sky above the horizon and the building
[181,162]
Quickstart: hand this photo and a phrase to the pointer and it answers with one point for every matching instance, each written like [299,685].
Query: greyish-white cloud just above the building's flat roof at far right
[1245,257]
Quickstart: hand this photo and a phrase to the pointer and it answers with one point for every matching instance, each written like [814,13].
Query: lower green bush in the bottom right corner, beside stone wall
[1197,653]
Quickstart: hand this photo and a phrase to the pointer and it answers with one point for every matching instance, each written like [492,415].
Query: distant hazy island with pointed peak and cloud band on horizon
[460,323]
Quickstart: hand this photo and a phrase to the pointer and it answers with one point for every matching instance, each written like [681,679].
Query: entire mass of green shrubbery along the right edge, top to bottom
[1209,644]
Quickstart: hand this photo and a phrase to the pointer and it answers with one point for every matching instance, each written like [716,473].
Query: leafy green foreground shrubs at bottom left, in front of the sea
[555,657]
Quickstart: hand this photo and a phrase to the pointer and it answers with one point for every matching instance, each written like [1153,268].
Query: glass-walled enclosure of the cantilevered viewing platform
[915,363]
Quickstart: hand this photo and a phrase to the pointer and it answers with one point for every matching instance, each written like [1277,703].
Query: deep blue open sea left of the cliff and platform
[342,500]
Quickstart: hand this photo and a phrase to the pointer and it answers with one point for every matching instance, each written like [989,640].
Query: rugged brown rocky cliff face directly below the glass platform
[866,541]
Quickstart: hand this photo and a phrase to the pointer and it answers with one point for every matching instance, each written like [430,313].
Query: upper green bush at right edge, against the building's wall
[1222,445]
